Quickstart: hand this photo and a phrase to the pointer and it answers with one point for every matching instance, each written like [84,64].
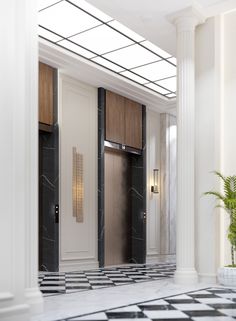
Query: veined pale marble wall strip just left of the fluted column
[167,185]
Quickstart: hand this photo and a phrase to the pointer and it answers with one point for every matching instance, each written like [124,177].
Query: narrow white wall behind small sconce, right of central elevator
[153,200]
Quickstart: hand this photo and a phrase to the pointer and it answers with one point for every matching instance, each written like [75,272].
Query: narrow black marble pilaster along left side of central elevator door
[101,137]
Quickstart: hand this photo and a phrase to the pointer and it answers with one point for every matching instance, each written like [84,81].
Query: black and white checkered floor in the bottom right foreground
[211,304]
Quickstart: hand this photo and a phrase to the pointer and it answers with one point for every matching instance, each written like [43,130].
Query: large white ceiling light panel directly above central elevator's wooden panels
[132,56]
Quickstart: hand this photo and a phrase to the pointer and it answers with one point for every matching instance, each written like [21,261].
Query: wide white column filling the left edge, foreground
[18,170]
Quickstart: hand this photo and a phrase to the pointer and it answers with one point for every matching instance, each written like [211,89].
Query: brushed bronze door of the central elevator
[117,208]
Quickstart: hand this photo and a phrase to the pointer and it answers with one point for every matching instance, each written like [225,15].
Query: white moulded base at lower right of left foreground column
[34,299]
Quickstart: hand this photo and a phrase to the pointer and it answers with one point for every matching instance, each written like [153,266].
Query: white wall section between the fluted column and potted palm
[208,144]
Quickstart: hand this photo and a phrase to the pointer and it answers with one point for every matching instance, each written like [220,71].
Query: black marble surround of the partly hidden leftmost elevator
[49,194]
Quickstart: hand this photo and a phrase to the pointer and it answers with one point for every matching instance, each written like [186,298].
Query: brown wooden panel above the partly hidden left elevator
[45,94]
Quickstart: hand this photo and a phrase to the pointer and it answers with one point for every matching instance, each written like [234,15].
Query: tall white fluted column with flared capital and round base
[185,22]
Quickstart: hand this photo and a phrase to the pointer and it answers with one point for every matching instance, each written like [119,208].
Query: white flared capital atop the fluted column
[187,19]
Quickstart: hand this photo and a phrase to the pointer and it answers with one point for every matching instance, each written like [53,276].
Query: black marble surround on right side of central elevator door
[138,201]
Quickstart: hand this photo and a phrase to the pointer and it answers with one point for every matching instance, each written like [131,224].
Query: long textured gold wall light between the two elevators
[77,186]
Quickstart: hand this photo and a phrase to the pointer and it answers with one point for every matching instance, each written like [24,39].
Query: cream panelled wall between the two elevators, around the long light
[78,127]
